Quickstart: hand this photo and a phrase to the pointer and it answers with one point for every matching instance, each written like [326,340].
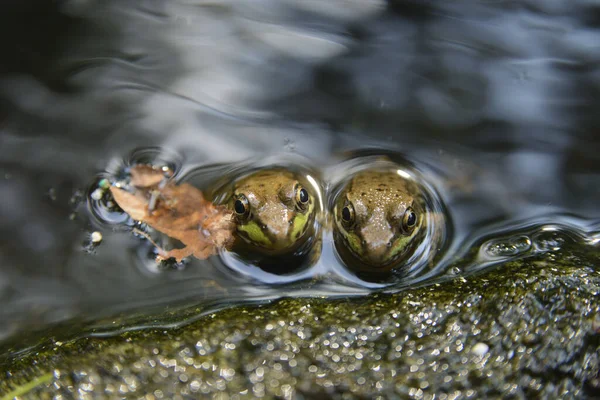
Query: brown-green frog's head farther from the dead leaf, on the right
[378,217]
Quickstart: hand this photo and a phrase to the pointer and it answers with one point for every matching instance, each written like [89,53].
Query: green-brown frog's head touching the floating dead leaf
[274,211]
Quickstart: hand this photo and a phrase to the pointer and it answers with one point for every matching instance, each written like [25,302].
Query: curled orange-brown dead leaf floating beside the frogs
[178,211]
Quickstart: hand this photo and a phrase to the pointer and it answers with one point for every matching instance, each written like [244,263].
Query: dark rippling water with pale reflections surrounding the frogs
[493,103]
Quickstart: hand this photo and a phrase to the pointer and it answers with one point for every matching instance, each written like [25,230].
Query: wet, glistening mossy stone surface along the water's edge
[526,329]
